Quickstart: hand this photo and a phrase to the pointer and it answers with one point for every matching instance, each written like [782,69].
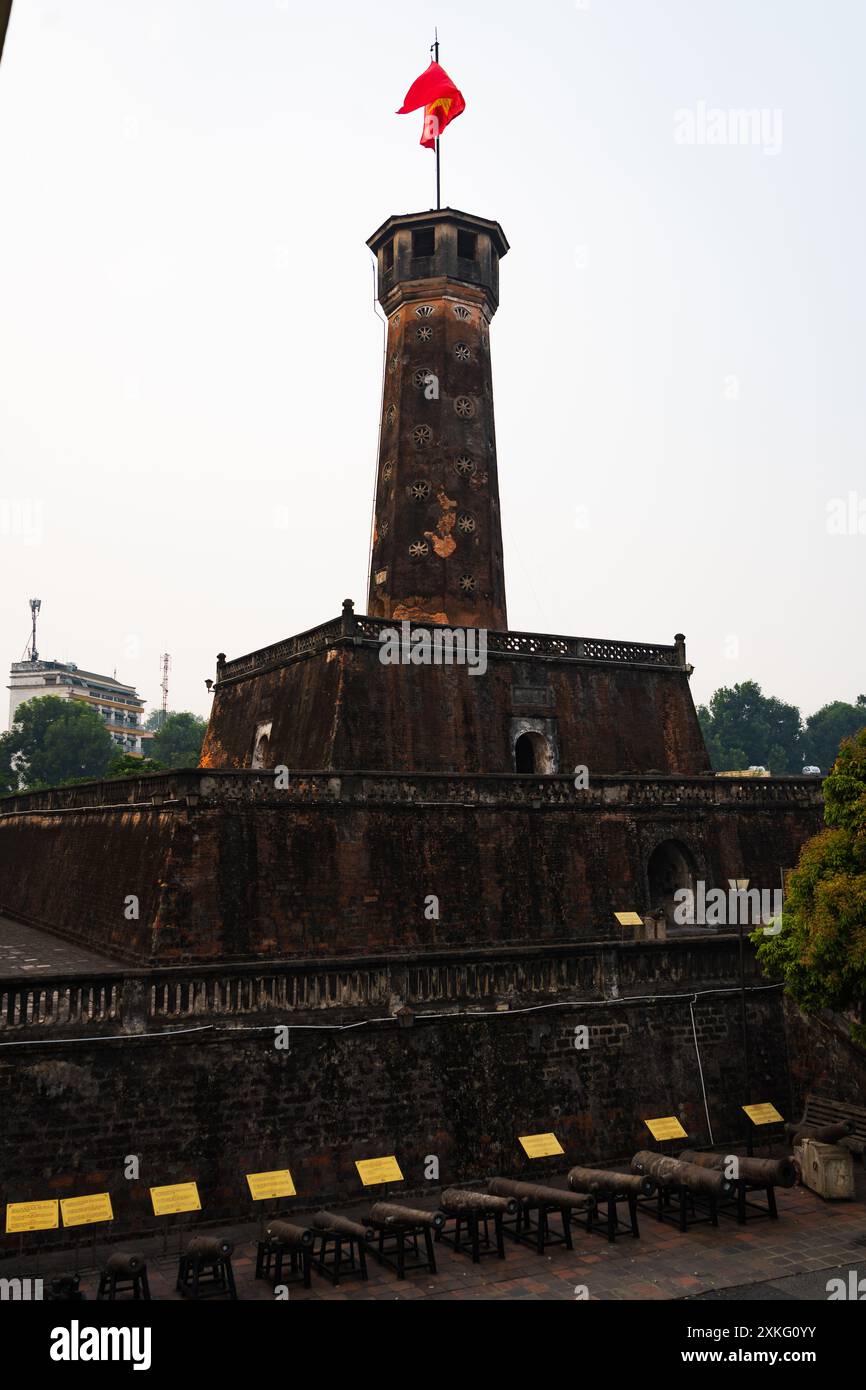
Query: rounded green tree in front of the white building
[56,740]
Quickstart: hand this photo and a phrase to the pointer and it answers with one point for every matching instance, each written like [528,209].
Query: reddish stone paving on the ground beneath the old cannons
[810,1238]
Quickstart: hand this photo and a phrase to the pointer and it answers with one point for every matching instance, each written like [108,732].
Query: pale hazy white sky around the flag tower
[191,361]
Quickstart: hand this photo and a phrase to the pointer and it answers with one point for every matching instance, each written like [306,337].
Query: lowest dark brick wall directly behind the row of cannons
[218,1104]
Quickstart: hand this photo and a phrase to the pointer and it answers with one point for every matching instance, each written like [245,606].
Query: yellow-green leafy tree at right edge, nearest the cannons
[821,951]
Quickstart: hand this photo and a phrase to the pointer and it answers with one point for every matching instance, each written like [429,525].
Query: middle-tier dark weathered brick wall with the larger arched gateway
[230,868]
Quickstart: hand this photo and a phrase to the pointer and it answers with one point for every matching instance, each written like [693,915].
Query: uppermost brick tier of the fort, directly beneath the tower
[344,708]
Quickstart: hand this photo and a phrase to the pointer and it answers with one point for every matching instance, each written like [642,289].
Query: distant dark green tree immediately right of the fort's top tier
[744,728]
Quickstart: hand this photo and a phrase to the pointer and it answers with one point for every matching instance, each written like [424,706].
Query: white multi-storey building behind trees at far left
[119,705]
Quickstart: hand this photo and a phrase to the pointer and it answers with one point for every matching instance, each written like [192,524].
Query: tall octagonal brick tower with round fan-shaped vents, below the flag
[437,541]
